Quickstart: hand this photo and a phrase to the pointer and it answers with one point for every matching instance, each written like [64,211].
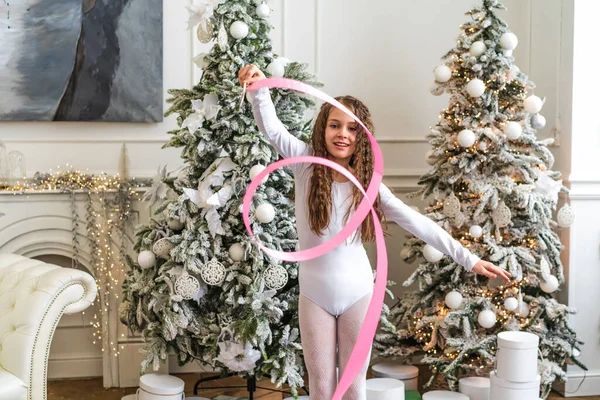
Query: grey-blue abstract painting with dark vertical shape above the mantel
[81,60]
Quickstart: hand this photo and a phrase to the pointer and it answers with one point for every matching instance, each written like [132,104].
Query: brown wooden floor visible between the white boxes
[92,389]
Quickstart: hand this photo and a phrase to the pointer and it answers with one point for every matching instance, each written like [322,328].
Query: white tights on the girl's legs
[322,334]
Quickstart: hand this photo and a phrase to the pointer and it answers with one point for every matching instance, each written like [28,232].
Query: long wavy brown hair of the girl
[361,165]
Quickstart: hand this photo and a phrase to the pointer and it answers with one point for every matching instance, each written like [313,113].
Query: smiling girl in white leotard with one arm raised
[336,288]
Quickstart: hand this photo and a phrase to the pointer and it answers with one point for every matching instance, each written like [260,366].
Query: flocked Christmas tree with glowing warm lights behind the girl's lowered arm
[494,190]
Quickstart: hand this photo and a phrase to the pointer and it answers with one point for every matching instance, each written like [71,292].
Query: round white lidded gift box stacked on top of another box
[516,358]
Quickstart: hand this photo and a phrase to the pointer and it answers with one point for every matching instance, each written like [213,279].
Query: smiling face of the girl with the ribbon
[340,136]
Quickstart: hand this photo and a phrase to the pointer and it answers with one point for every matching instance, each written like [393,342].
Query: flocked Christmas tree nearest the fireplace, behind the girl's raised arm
[199,288]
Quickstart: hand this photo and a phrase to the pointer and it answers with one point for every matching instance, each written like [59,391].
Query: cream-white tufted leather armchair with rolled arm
[33,297]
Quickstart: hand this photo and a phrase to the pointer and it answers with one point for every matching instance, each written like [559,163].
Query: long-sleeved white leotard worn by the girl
[339,278]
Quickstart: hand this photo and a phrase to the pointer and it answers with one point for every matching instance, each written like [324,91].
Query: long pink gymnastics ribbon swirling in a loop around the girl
[361,349]
